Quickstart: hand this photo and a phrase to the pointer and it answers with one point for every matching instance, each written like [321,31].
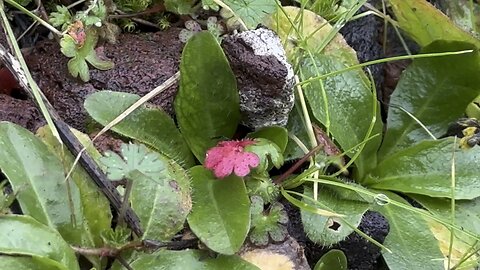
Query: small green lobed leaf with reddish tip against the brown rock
[83,53]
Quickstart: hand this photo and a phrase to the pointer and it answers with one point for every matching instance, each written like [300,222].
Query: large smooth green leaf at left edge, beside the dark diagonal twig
[37,175]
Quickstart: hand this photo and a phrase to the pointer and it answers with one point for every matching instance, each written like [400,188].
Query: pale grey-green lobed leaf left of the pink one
[136,159]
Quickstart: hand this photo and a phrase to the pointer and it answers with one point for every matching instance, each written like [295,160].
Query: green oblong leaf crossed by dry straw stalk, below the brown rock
[150,126]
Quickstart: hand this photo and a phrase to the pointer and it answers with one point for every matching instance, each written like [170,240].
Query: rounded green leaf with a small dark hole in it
[325,230]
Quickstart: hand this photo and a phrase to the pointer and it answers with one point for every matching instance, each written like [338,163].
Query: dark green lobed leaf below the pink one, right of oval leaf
[266,226]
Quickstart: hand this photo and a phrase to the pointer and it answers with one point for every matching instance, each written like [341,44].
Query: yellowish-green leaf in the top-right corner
[425,24]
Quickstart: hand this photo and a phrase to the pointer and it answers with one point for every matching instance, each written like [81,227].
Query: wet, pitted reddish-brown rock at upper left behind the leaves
[142,62]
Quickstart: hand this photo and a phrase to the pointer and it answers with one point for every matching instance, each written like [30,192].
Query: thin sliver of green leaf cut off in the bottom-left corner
[15,262]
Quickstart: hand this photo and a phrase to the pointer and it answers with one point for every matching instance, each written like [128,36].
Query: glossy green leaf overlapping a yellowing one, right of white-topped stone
[346,108]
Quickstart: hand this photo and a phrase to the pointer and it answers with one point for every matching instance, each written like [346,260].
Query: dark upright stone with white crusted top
[265,79]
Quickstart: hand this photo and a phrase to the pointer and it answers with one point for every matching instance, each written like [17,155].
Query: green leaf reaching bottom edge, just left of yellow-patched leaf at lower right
[411,243]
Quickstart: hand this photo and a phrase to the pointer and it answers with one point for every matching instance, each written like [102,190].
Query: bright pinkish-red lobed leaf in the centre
[230,156]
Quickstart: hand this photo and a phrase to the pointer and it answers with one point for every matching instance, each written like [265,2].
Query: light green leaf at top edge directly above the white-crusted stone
[252,12]
